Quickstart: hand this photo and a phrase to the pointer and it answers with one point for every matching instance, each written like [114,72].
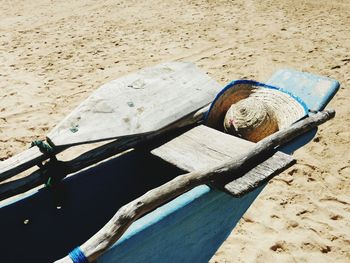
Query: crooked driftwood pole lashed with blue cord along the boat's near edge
[130,212]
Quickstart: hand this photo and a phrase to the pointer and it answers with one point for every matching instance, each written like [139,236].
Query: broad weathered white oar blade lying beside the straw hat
[139,103]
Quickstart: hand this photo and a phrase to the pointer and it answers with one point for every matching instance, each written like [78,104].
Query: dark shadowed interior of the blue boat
[88,200]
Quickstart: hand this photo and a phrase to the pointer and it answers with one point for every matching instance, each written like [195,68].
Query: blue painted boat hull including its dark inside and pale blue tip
[190,228]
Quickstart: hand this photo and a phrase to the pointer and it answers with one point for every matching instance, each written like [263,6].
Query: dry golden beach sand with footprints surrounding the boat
[53,54]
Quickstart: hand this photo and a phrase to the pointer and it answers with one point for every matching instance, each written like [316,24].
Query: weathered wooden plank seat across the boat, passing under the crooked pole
[203,147]
